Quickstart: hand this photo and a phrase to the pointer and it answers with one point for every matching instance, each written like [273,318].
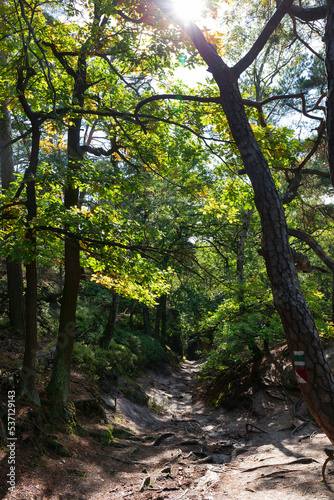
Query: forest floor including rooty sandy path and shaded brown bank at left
[176,448]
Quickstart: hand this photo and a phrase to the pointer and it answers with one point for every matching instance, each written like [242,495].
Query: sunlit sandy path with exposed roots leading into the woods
[213,454]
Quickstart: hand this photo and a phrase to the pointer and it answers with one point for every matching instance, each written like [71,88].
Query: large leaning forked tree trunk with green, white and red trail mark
[314,376]
